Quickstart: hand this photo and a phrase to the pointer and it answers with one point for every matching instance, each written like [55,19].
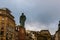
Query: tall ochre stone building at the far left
[7,25]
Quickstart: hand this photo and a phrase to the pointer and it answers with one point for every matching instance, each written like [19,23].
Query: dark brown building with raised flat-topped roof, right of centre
[44,35]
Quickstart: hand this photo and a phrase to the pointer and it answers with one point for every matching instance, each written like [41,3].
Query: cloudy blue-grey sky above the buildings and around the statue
[41,14]
